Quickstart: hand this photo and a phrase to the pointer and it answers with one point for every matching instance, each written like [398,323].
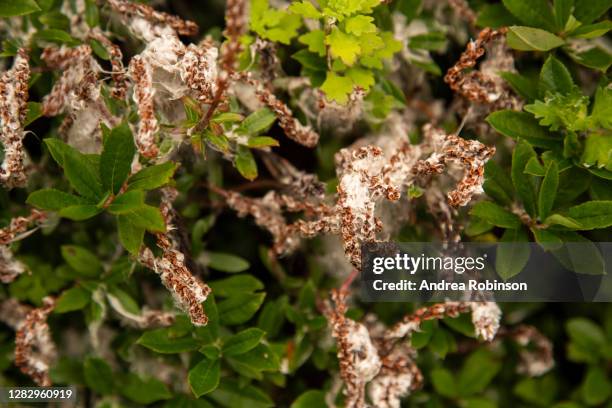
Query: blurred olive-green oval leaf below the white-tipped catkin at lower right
[477,372]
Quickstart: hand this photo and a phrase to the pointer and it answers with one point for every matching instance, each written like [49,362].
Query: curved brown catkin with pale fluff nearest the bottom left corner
[34,347]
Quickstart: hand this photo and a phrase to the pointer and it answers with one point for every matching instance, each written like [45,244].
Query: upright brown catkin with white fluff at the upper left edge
[13,110]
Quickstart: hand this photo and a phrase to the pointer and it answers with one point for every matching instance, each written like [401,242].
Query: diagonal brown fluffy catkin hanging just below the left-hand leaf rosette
[188,291]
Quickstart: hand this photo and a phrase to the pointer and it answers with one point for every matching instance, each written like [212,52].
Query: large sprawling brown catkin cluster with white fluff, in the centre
[365,176]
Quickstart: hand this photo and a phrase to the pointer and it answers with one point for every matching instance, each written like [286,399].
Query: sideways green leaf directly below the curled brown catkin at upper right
[521,125]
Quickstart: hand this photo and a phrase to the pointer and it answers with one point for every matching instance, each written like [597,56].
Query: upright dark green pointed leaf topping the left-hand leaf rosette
[116,158]
